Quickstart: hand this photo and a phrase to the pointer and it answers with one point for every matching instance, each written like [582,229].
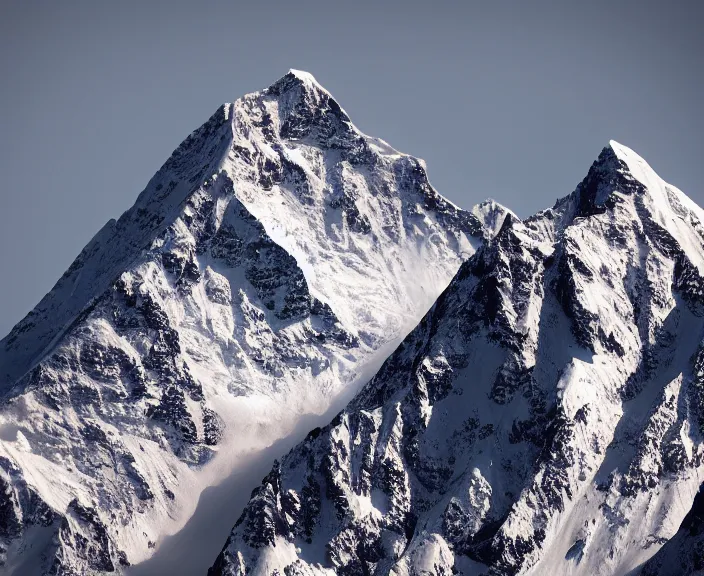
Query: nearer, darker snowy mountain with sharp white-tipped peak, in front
[545,417]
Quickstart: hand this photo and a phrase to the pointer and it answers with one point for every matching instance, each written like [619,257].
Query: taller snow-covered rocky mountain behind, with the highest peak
[260,277]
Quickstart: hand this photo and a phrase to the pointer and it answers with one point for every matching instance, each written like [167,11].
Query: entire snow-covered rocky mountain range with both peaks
[520,396]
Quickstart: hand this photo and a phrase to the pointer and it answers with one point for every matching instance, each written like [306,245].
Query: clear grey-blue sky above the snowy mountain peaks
[510,100]
